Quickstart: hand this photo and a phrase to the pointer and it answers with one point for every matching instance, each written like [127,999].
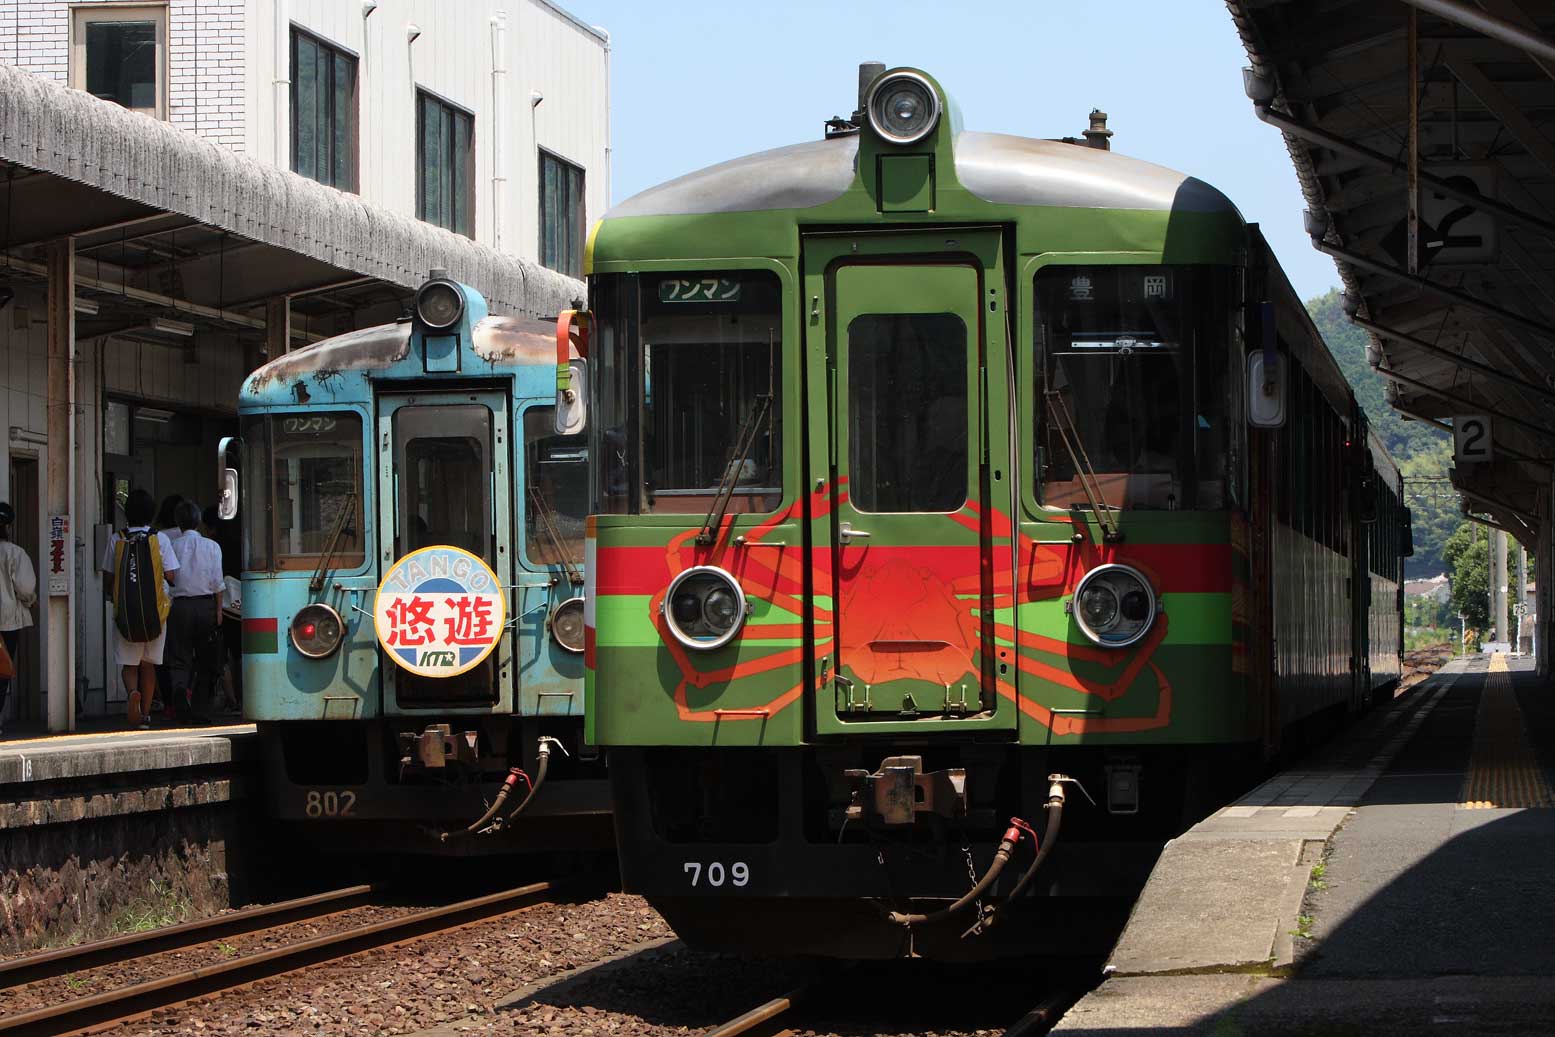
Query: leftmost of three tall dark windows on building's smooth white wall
[324,113]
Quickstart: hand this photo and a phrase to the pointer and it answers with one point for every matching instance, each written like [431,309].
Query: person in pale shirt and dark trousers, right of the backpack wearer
[195,621]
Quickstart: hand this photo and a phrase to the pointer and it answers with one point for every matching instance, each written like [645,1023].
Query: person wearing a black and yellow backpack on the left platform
[141,567]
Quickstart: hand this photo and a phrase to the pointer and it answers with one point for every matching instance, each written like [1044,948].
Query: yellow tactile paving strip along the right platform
[1503,770]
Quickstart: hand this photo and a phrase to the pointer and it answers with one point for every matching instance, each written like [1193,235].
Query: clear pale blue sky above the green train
[694,85]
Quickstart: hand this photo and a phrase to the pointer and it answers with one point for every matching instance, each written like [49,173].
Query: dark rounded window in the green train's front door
[907,413]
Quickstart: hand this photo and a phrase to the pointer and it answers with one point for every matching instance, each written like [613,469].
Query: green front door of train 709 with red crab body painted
[914,545]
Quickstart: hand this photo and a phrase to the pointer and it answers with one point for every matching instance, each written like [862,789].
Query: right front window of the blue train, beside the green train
[556,491]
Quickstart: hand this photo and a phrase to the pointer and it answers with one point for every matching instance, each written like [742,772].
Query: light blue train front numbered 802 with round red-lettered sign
[413,588]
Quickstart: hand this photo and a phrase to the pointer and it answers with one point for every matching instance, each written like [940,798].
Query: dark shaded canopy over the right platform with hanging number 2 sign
[1422,134]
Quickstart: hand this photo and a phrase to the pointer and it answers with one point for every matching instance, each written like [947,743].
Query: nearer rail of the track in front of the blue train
[125,1004]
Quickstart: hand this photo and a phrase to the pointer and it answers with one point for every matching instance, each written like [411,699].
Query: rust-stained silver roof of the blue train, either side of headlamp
[506,341]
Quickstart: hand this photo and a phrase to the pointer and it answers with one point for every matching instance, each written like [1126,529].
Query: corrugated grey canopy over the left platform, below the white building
[166,222]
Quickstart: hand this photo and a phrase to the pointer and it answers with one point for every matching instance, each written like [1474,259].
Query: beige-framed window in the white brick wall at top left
[121,55]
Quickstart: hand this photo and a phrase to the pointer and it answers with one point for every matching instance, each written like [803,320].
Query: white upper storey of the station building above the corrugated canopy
[487,117]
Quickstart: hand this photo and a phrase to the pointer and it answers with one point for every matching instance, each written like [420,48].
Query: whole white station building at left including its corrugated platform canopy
[189,189]
